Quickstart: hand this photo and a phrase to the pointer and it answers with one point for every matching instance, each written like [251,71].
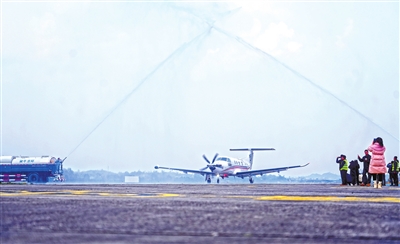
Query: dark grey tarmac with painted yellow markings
[188,213]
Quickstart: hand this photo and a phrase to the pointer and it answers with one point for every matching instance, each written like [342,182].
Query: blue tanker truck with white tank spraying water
[31,169]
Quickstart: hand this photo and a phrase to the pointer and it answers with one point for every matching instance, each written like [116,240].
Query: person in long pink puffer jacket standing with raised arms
[377,166]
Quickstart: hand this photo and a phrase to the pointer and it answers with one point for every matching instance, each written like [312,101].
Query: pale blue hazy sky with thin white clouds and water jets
[124,86]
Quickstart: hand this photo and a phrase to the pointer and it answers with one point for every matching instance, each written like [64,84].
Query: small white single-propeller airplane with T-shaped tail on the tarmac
[223,167]
